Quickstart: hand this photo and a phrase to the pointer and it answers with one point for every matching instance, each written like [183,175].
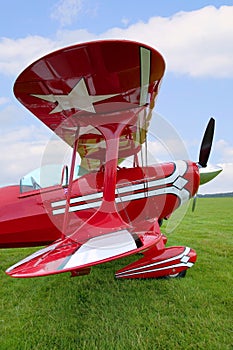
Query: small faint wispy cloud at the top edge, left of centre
[65,11]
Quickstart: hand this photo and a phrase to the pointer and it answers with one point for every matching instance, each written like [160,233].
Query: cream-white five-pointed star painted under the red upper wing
[77,98]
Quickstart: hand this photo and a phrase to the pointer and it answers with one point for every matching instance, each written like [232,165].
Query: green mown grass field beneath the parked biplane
[99,312]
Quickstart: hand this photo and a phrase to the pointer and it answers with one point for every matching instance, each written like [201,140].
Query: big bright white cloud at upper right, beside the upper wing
[197,43]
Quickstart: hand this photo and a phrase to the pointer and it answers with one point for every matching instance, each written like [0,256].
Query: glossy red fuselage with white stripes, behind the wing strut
[35,217]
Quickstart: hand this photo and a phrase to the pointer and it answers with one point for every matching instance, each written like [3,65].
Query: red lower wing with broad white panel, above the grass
[68,255]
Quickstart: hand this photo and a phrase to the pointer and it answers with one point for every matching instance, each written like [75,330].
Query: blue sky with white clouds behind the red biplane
[195,38]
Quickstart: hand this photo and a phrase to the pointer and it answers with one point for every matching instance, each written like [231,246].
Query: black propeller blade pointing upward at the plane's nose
[206,143]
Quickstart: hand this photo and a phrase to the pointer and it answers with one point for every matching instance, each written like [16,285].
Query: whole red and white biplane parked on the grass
[98,97]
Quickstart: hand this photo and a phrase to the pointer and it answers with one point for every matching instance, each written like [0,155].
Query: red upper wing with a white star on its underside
[88,84]
